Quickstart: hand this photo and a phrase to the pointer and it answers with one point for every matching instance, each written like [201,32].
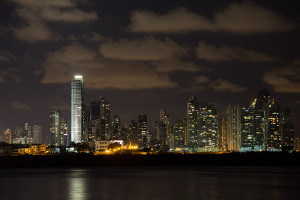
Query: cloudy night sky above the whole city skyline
[145,55]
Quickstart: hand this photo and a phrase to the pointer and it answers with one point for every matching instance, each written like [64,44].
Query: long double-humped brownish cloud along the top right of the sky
[246,17]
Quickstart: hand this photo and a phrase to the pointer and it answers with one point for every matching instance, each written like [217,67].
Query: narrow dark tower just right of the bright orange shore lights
[143,136]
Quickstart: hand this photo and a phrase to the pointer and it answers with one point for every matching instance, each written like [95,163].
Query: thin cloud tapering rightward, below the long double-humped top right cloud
[226,53]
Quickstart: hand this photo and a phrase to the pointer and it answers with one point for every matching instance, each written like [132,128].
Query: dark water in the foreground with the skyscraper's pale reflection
[137,183]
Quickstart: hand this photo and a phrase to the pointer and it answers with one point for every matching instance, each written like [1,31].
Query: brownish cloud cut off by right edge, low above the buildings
[285,79]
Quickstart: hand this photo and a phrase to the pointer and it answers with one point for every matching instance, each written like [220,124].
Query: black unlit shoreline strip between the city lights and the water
[89,160]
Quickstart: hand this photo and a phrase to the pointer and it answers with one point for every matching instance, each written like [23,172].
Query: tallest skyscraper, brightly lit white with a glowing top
[76,109]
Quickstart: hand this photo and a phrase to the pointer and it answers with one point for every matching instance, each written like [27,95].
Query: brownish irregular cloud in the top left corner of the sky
[35,14]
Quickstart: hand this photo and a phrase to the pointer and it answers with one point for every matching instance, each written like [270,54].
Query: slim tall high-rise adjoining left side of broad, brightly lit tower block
[193,124]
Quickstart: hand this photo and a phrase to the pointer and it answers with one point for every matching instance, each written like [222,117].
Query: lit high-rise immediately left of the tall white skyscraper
[58,128]
